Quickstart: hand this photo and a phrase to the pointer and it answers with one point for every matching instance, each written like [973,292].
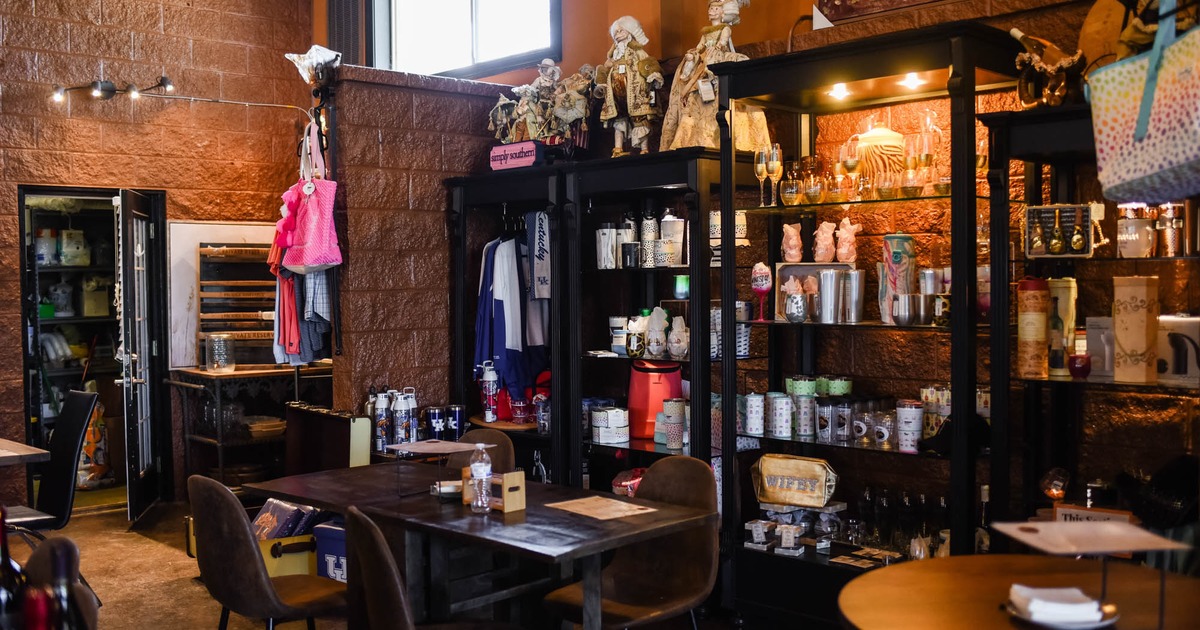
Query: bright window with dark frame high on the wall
[472,39]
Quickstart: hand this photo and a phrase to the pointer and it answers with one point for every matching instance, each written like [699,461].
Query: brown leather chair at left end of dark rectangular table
[233,572]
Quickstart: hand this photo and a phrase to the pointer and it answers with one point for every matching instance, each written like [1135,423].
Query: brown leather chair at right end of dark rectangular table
[664,577]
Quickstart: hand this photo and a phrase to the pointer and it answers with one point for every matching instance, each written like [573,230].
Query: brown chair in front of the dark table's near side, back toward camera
[387,598]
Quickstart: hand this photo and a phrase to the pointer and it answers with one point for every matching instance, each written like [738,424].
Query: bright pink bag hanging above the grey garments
[315,239]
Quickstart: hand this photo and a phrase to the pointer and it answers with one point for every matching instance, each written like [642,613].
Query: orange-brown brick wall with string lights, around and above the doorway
[215,161]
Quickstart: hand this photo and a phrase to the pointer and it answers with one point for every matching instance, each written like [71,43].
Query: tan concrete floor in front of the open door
[146,579]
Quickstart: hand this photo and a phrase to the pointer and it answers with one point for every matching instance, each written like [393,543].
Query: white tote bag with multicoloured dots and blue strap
[1147,119]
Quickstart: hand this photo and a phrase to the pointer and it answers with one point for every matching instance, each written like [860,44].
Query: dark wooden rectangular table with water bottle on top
[398,497]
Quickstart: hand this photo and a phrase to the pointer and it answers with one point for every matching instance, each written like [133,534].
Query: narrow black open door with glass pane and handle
[141,284]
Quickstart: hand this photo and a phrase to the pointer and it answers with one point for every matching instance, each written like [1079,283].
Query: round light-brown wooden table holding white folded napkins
[970,592]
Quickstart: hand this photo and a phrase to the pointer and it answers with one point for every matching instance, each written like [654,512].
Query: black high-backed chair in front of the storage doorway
[56,493]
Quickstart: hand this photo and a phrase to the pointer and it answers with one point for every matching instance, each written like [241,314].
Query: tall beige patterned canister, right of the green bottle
[1136,329]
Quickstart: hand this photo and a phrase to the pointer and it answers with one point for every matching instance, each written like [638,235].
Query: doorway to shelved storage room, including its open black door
[89,263]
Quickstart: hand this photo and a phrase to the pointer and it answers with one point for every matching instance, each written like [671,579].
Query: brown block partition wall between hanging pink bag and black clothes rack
[399,137]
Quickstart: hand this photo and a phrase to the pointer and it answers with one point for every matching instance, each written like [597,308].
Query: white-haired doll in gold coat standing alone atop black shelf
[627,86]
